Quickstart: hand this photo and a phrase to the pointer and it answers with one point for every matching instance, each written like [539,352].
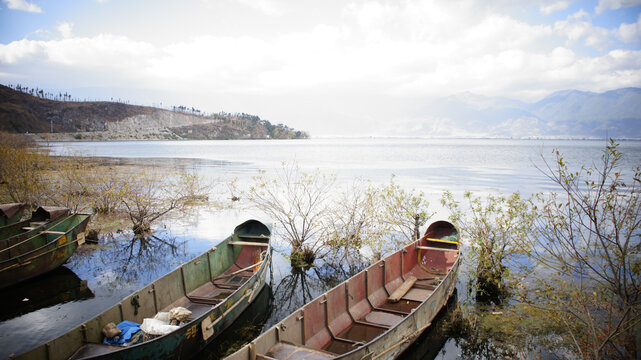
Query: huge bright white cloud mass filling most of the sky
[368,55]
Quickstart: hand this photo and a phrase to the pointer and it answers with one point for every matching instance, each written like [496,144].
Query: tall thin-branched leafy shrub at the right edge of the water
[589,236]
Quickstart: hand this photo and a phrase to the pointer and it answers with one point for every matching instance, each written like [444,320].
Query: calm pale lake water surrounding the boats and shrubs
[98,276]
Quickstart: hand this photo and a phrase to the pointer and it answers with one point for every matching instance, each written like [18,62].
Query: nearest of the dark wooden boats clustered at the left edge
[43,252]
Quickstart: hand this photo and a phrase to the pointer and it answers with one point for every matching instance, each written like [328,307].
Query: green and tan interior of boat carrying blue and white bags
[199,286]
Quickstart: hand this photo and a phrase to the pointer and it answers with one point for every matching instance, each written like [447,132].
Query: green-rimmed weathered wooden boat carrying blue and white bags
[215,286]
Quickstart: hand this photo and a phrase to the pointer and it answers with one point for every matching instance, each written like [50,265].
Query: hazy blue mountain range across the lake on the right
[563,114]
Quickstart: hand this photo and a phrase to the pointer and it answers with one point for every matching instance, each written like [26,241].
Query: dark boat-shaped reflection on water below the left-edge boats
[56,287]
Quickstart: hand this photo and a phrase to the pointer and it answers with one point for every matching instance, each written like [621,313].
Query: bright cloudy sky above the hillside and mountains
[328,67]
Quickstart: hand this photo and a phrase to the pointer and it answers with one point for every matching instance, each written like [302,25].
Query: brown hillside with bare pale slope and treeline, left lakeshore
[100,120]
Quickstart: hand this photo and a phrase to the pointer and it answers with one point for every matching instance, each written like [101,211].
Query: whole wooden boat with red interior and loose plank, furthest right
[375,314]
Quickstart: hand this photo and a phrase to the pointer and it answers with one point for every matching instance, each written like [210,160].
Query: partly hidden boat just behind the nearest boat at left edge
[41,219]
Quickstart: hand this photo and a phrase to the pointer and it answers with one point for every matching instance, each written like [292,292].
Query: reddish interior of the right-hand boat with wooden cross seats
[363,307]
